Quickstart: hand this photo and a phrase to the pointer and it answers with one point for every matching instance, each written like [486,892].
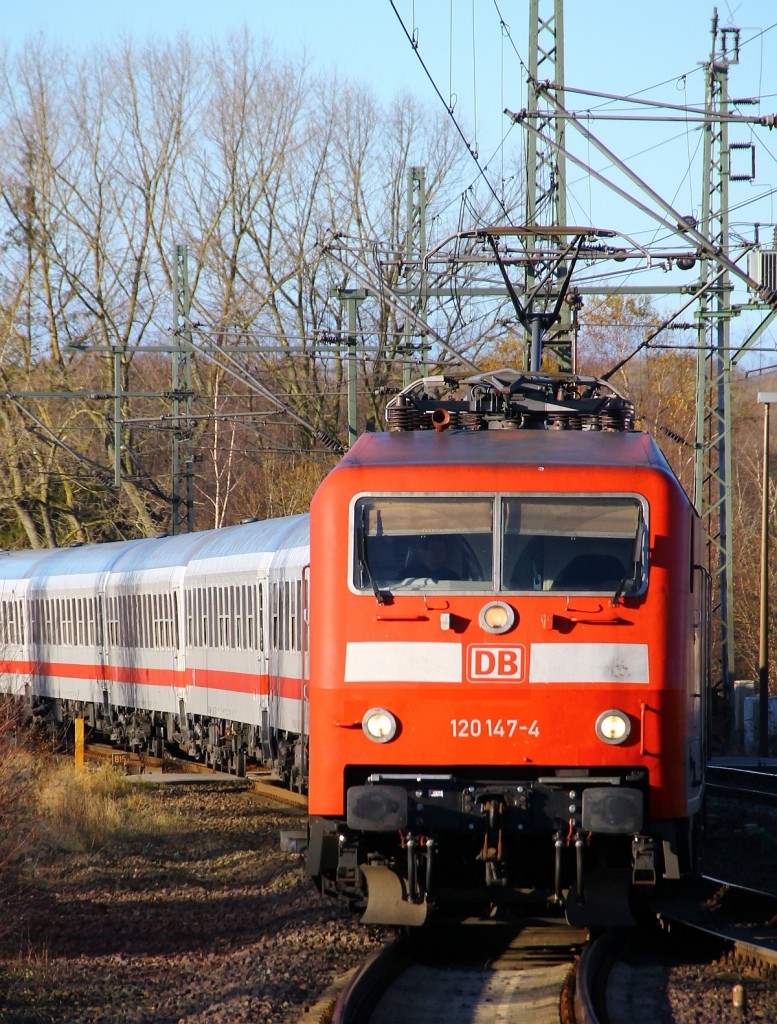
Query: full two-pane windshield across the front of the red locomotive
[587,544]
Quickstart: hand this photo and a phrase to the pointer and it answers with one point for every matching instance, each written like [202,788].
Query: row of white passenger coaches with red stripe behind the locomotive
[198,641]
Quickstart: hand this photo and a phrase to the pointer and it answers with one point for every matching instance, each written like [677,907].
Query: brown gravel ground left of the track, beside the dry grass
[204,919]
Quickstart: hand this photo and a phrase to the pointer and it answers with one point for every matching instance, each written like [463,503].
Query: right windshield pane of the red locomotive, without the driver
[583,544]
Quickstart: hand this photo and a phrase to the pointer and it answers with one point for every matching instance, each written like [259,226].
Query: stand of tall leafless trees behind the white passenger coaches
[253,161]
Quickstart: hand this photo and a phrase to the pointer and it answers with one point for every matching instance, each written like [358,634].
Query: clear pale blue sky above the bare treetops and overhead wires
[653,50]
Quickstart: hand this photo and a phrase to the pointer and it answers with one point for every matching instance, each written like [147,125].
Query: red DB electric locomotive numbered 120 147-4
[507,670]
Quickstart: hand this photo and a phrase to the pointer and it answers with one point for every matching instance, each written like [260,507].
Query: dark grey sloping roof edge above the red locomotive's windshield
[495,448]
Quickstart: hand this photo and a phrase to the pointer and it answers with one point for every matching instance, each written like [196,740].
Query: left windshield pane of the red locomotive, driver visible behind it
[424,543]
